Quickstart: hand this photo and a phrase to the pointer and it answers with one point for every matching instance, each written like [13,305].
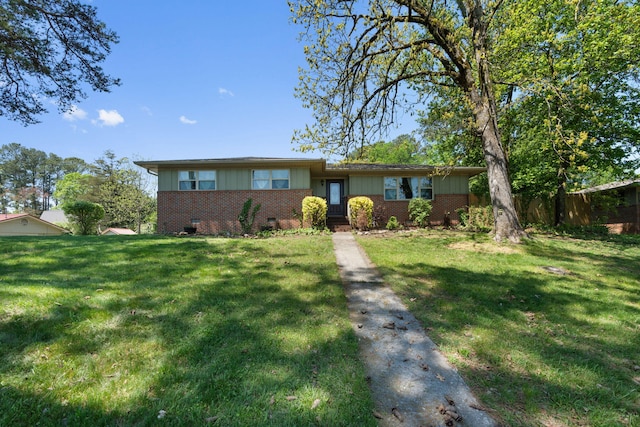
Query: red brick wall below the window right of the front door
[441,203]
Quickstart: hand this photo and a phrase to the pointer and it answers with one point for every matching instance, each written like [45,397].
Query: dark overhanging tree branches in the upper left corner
[49,49]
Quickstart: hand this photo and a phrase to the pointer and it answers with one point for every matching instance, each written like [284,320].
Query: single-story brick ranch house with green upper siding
[209,194]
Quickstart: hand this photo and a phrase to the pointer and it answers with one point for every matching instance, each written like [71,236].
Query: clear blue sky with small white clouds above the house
[200,79]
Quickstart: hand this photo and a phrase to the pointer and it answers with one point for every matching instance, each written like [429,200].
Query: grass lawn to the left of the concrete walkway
[149,330]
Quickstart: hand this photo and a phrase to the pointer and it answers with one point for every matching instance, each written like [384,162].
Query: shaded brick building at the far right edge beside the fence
[625,216]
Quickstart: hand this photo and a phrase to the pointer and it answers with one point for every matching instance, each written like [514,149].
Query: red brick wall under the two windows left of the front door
[218,210]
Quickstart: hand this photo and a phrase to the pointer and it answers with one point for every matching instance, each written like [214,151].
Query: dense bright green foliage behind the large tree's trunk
[569,106]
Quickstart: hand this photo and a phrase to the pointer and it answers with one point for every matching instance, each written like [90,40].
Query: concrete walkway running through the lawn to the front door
[411,381]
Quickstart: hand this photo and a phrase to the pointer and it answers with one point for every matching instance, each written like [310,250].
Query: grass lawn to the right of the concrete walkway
[546,333]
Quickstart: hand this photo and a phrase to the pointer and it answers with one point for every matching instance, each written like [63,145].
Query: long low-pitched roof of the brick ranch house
[317,166]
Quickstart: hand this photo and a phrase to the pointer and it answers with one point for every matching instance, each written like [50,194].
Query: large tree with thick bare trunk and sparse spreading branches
[364,56]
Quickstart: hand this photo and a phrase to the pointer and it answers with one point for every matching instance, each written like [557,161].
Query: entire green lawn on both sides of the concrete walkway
[145,330]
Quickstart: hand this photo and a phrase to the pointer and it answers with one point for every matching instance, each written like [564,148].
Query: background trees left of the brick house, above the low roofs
[32,181]
